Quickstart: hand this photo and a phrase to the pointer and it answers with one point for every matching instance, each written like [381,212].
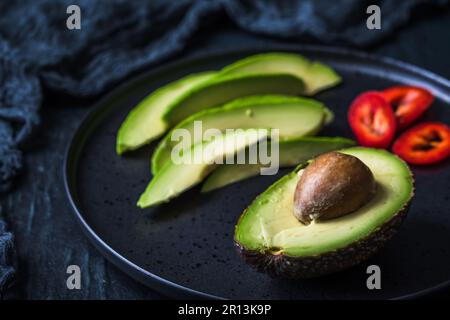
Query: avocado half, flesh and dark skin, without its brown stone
[271,239]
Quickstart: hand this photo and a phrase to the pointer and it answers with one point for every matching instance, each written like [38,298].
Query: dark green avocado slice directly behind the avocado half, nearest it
[291,152]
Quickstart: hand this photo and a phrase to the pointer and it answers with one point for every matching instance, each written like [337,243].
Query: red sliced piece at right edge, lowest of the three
[425,143]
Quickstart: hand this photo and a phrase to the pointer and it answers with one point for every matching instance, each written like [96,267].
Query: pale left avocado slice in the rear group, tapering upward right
[144,123]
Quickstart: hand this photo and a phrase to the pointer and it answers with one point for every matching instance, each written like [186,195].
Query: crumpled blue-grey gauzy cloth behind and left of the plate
[119,37]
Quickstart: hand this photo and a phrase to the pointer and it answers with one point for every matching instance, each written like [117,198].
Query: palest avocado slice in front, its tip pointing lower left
[174,178]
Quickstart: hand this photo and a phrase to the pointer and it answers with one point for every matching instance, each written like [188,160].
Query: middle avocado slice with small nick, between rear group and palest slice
[294,116]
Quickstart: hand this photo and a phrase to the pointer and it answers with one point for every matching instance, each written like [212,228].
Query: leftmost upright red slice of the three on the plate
[372,120]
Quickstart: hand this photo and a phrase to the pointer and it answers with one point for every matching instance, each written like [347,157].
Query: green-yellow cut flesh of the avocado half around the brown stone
[268,226]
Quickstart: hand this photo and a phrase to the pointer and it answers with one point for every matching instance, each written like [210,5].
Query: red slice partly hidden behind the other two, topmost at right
[408,103]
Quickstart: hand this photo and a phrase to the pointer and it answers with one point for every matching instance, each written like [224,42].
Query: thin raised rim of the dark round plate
[151,280]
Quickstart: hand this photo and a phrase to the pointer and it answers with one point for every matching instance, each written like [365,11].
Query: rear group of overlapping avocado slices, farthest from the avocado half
[270,72]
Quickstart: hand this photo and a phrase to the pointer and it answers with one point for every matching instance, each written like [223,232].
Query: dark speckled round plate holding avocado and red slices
[185,248]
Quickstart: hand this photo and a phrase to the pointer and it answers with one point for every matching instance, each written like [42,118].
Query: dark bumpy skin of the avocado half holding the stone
[284,266]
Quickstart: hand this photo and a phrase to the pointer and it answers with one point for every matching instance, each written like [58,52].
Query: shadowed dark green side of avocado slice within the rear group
[222,89]
